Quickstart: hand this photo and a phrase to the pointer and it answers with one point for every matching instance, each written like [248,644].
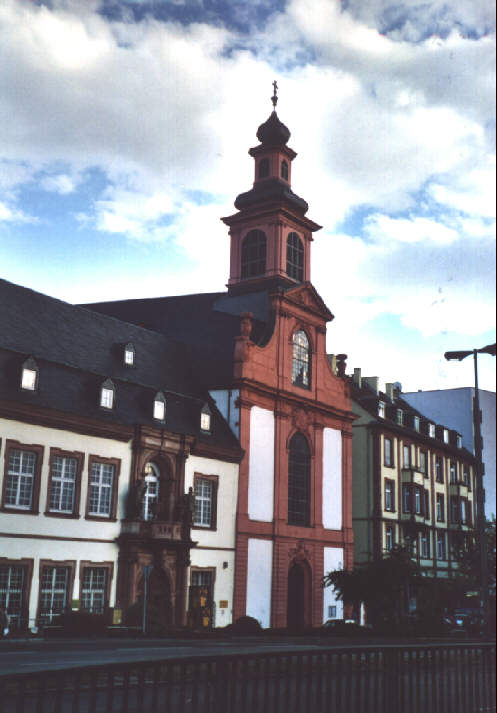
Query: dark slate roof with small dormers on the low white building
[76,349]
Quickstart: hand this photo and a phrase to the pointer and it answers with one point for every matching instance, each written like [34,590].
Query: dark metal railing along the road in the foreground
[452,678]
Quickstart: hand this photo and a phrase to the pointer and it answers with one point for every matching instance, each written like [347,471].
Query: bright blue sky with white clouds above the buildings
[125,130]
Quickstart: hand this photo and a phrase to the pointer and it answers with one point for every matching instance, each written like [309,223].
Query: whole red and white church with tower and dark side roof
[259,349]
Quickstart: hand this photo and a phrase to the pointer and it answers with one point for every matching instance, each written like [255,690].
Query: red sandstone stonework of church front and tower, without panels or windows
[263,375]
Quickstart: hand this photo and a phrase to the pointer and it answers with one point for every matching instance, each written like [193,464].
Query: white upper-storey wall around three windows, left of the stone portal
[69,441]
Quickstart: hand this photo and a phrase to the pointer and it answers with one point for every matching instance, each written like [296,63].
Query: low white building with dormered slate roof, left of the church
[102,435]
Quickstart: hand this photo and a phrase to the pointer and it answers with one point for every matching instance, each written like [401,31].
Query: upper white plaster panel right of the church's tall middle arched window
[332,479]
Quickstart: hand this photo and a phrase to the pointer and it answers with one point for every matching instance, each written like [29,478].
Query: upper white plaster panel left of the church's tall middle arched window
[261,465]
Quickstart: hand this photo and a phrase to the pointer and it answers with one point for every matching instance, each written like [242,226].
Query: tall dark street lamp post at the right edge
[480,493]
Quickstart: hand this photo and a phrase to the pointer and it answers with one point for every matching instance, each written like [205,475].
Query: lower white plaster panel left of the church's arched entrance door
[259,576]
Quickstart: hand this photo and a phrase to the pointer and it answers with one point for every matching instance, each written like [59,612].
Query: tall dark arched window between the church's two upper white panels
[299,476]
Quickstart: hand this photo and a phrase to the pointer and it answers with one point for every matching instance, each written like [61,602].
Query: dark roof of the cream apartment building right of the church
[369,399]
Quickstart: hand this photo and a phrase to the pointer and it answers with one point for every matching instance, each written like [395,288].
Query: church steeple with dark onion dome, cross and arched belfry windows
[270,234]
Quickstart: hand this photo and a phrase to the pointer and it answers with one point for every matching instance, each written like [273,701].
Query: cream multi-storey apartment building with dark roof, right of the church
[413,481]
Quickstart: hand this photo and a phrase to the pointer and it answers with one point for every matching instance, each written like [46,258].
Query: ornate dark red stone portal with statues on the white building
[156,533]
